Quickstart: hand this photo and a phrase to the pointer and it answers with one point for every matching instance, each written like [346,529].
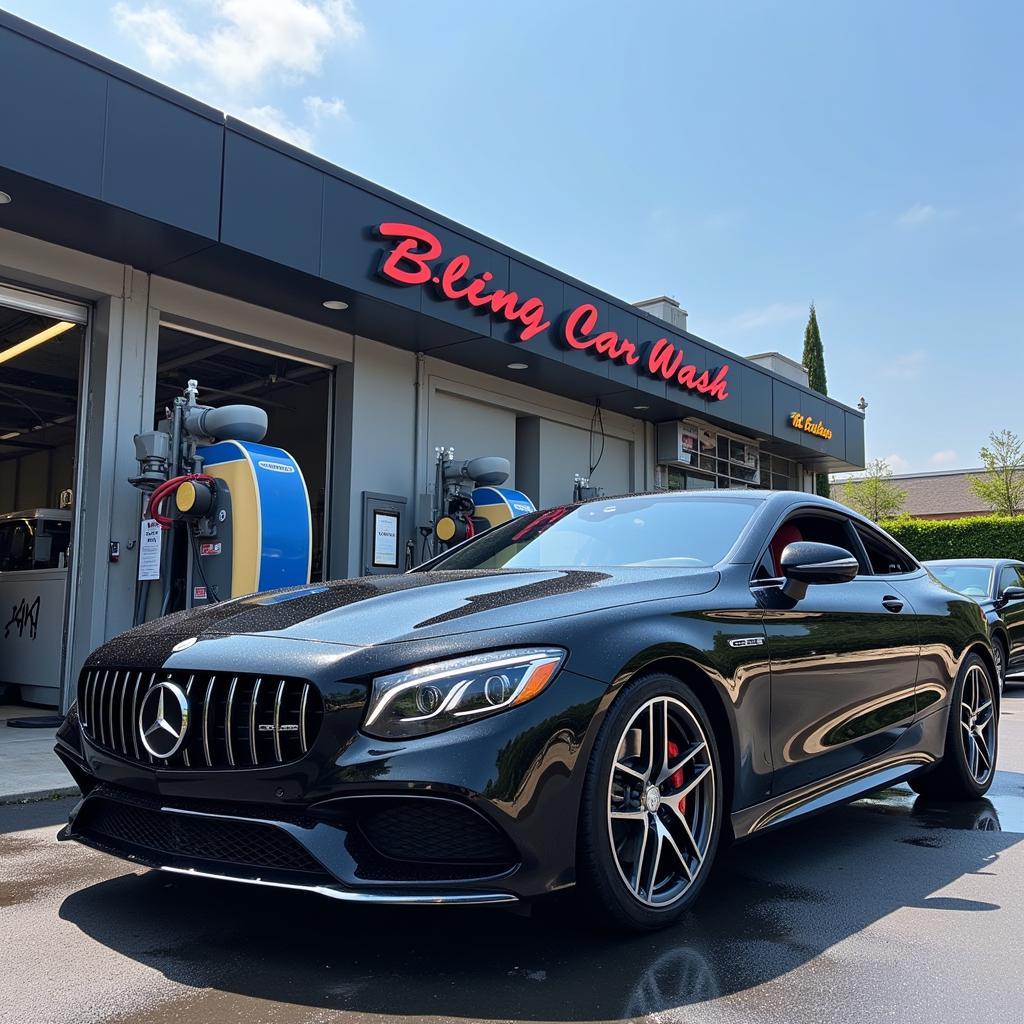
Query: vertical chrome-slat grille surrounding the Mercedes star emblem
[235,721]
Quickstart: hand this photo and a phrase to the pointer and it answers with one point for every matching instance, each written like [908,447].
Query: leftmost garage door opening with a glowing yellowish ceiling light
[42,345]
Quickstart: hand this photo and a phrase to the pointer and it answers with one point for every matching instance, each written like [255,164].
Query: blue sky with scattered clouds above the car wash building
[744,158]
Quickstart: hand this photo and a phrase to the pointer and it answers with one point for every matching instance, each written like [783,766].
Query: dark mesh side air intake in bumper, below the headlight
[428,830]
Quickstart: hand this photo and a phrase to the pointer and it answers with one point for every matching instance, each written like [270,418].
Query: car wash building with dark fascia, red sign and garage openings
[148,241]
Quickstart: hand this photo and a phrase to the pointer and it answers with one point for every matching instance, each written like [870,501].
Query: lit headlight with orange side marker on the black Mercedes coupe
[438,697]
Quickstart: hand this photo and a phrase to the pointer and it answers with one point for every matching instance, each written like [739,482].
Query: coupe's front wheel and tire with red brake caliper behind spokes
[653,806]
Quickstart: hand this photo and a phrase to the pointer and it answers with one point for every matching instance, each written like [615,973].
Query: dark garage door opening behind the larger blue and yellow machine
[295,396]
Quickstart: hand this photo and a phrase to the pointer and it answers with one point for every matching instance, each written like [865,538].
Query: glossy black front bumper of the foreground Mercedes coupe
[481,815]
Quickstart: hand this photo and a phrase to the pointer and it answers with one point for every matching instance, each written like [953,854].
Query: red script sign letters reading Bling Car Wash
[411,263]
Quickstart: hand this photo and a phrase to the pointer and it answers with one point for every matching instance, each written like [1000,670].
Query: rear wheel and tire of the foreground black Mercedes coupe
[968,764]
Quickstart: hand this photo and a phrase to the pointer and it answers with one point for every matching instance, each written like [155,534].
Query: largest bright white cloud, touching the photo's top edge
[247,42]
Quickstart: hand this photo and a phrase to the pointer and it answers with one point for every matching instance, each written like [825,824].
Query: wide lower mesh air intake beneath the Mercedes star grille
[166,838]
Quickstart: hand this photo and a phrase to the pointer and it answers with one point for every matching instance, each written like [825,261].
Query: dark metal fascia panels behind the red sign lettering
[103,160]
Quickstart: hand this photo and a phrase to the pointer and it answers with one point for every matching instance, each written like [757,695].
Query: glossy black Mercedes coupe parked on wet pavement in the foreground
[598,695]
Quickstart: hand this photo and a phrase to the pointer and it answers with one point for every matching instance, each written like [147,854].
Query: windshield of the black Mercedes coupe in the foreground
[668,532]
